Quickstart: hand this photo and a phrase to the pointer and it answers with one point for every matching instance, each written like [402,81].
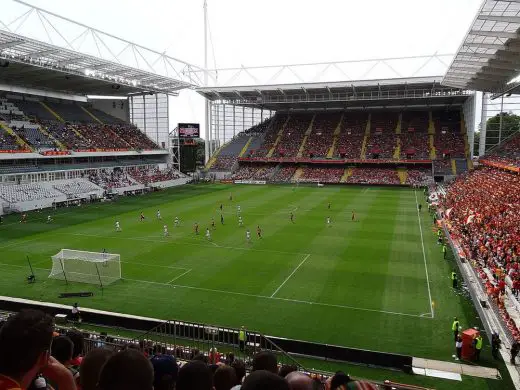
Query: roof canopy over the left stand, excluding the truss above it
[31,63]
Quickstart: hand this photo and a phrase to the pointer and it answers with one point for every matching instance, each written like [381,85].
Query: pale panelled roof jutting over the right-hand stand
[489,57]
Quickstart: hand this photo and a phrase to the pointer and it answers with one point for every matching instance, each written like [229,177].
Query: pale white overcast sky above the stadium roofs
[270,32]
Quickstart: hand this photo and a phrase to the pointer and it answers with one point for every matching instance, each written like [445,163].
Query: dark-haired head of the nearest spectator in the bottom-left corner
[25,343]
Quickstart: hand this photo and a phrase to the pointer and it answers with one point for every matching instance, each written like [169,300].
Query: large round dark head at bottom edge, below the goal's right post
[126,370]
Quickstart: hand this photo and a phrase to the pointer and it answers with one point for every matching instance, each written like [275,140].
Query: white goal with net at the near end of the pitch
[86,267]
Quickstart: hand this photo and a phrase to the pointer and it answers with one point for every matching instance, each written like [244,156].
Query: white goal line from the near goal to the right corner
[278,299]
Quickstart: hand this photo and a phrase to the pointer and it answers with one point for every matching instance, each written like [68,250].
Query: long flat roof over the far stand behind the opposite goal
[362,94]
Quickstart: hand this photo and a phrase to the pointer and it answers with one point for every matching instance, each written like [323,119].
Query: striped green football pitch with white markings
[379,282]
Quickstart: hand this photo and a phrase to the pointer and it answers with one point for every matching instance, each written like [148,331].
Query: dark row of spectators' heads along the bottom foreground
[34,356]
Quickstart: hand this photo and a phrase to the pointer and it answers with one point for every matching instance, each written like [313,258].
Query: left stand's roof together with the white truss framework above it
[43,50]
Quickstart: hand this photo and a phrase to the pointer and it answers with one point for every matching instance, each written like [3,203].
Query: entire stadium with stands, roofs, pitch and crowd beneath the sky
[323,225]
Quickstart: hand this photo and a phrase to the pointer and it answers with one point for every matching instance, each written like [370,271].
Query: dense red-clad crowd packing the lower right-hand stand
[482,210]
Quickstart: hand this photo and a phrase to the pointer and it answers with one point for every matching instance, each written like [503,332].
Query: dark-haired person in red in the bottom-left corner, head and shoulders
[25,342]
